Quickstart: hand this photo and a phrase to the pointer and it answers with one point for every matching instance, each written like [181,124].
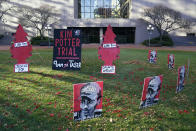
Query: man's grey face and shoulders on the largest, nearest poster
[90,96]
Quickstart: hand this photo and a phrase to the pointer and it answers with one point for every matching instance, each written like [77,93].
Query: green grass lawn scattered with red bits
[43,98]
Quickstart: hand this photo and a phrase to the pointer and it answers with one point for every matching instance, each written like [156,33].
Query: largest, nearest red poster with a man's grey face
[88,100]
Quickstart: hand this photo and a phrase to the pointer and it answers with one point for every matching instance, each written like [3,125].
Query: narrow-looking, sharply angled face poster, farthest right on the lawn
[181,78]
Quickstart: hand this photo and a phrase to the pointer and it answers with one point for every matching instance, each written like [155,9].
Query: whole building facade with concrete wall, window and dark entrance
[93,16]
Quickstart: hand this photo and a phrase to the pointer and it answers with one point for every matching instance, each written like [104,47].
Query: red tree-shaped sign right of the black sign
[109,51]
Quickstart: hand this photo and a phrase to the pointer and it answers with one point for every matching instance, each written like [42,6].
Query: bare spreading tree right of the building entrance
[166,19]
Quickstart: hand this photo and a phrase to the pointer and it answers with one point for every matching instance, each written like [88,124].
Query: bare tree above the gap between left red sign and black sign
[38,18]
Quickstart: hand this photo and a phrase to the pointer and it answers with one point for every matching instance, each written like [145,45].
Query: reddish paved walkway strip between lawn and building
[181,48]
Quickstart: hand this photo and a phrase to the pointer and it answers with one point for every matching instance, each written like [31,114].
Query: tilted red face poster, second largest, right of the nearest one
[151,91]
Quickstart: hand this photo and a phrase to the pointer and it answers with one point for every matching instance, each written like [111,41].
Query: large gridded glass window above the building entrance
[103,9]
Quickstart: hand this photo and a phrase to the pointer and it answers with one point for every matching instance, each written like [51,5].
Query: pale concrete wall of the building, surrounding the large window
[67,11]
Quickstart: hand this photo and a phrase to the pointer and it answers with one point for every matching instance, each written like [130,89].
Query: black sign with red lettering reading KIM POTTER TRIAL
[67,50]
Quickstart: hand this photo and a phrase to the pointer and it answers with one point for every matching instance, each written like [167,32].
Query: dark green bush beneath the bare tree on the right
[166,41]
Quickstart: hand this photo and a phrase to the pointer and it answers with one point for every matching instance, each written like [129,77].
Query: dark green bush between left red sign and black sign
[43,42]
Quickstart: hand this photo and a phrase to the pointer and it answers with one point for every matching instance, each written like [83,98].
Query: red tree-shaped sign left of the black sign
[21,50]
